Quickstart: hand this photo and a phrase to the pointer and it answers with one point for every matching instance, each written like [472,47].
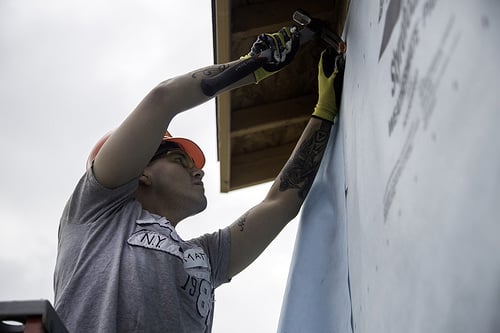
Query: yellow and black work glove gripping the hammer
[280,48]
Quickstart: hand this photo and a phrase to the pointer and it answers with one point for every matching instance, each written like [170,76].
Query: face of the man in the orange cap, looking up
[178,182]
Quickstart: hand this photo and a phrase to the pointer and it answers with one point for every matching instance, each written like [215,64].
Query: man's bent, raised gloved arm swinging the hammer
[129,149]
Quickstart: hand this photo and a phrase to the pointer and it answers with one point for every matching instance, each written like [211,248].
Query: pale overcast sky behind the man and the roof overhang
[70,71]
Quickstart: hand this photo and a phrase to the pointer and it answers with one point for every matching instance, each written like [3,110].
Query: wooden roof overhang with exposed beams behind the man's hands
[258,125]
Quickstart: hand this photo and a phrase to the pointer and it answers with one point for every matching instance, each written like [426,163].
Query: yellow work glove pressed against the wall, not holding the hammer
[330,80]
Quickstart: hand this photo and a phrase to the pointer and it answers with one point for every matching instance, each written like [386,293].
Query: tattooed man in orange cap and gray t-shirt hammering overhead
[121,266]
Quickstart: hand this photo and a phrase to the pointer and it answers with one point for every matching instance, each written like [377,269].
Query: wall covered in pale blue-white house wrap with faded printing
[406,205]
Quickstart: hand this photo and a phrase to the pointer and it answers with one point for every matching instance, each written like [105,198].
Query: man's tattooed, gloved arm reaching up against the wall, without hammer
[255,229]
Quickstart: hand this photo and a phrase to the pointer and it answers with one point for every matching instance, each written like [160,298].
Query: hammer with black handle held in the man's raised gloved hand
[311,28]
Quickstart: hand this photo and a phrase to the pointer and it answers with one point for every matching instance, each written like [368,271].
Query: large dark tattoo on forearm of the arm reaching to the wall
[300,171]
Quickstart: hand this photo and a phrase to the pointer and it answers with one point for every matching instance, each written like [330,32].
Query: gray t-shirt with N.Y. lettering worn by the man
[122,269]
